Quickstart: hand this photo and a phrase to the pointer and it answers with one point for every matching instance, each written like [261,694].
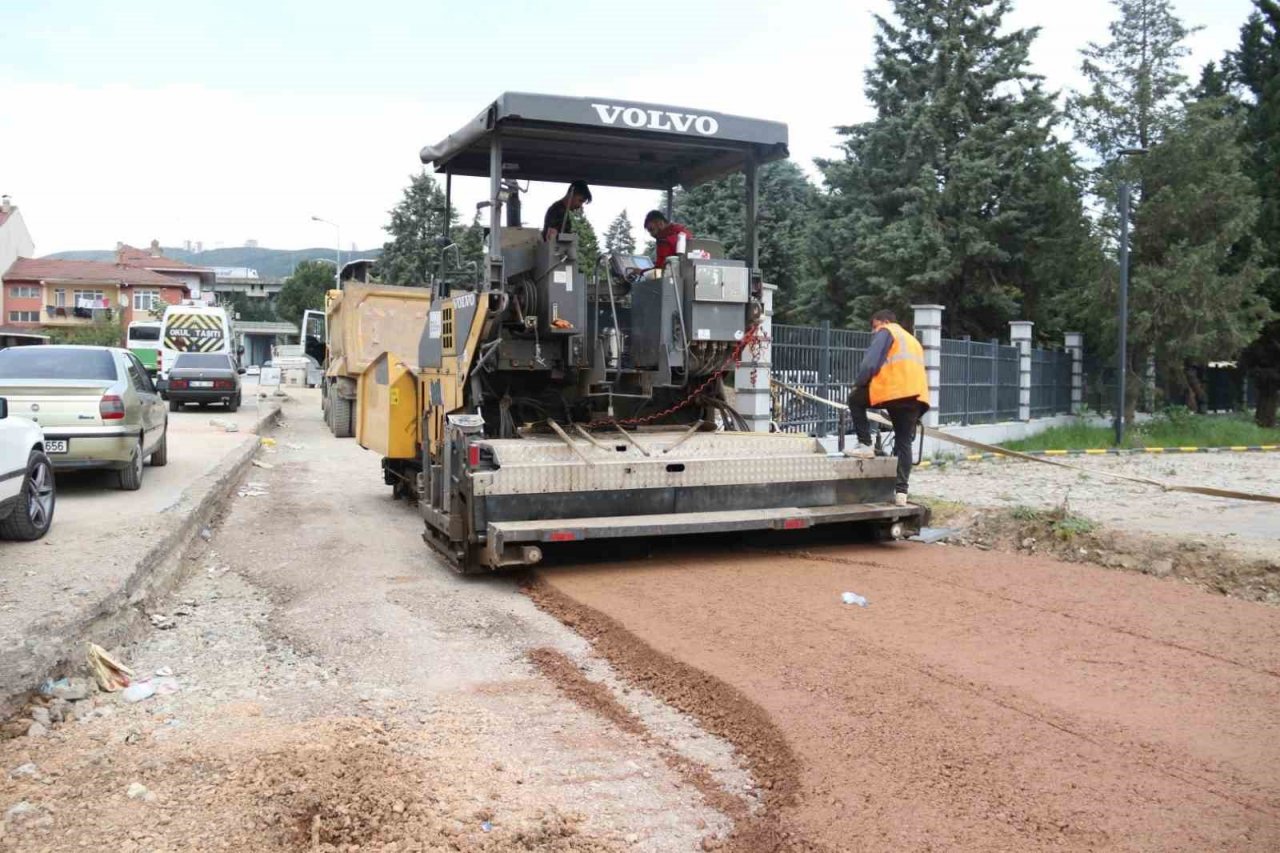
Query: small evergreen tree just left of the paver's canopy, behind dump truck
[413,256]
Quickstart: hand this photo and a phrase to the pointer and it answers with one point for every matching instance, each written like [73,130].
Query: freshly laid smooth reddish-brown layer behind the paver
[981,703]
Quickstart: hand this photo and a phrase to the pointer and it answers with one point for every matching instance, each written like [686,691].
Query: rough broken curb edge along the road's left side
[60,649]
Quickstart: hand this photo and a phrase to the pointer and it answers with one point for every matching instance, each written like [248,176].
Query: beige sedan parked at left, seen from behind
[97,407]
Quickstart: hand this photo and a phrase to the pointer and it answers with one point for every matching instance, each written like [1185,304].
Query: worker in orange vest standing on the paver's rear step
[892,377]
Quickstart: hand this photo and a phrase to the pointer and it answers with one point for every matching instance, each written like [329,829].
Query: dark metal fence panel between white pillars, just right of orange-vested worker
[979,384]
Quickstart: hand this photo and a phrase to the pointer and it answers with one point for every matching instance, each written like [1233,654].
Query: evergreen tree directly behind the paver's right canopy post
[785,215]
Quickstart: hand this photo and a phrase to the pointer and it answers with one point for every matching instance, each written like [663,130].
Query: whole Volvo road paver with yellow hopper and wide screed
[564,399]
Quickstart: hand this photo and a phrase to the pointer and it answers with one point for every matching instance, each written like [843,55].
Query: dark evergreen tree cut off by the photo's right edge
[1258,69]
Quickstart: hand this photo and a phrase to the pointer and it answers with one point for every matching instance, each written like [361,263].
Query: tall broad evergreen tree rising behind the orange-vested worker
[958,191]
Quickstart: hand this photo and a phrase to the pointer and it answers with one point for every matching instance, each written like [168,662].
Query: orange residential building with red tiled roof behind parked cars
[61,294]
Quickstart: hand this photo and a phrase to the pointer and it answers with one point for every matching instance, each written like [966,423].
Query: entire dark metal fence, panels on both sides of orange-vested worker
[979,382]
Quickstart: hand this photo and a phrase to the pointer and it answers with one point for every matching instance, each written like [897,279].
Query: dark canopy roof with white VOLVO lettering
[606,142]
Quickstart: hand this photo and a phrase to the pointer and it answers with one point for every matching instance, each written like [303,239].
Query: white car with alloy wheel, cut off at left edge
[28,492]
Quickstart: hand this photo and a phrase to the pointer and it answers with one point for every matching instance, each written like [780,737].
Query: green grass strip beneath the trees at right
[1173,428]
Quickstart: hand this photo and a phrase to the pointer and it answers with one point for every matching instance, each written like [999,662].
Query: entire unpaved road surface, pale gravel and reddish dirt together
[341,691]
